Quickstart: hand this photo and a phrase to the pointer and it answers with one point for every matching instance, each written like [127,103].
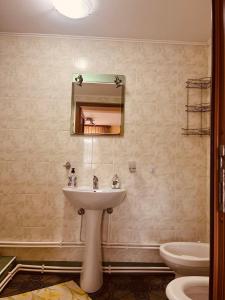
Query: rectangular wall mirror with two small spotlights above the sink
[97,106]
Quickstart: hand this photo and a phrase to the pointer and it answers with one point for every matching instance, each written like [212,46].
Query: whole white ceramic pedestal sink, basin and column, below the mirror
[94,202]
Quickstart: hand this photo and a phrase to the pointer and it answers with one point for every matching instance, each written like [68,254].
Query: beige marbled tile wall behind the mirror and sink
[166,197]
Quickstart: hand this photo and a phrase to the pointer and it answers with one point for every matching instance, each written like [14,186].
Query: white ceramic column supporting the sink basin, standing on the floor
[91,275]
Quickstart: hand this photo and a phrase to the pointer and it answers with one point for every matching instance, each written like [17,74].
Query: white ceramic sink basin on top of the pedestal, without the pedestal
[87,198]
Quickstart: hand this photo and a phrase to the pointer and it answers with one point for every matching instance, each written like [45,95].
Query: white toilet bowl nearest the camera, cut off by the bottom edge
[188,288]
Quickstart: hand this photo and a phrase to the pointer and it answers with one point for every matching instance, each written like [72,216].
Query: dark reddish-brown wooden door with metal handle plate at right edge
[217,278]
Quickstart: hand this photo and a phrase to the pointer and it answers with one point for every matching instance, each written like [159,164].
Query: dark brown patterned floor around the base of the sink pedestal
[115,287]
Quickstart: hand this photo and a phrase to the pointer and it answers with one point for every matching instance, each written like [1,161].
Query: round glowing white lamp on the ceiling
[74,9]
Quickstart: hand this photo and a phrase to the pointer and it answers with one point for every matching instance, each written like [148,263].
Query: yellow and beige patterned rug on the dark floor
[63,291]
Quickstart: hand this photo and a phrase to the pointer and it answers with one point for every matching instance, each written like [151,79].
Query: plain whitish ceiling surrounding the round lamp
[176,20]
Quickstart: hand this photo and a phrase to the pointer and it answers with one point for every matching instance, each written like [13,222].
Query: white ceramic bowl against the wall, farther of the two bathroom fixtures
[186,258]
